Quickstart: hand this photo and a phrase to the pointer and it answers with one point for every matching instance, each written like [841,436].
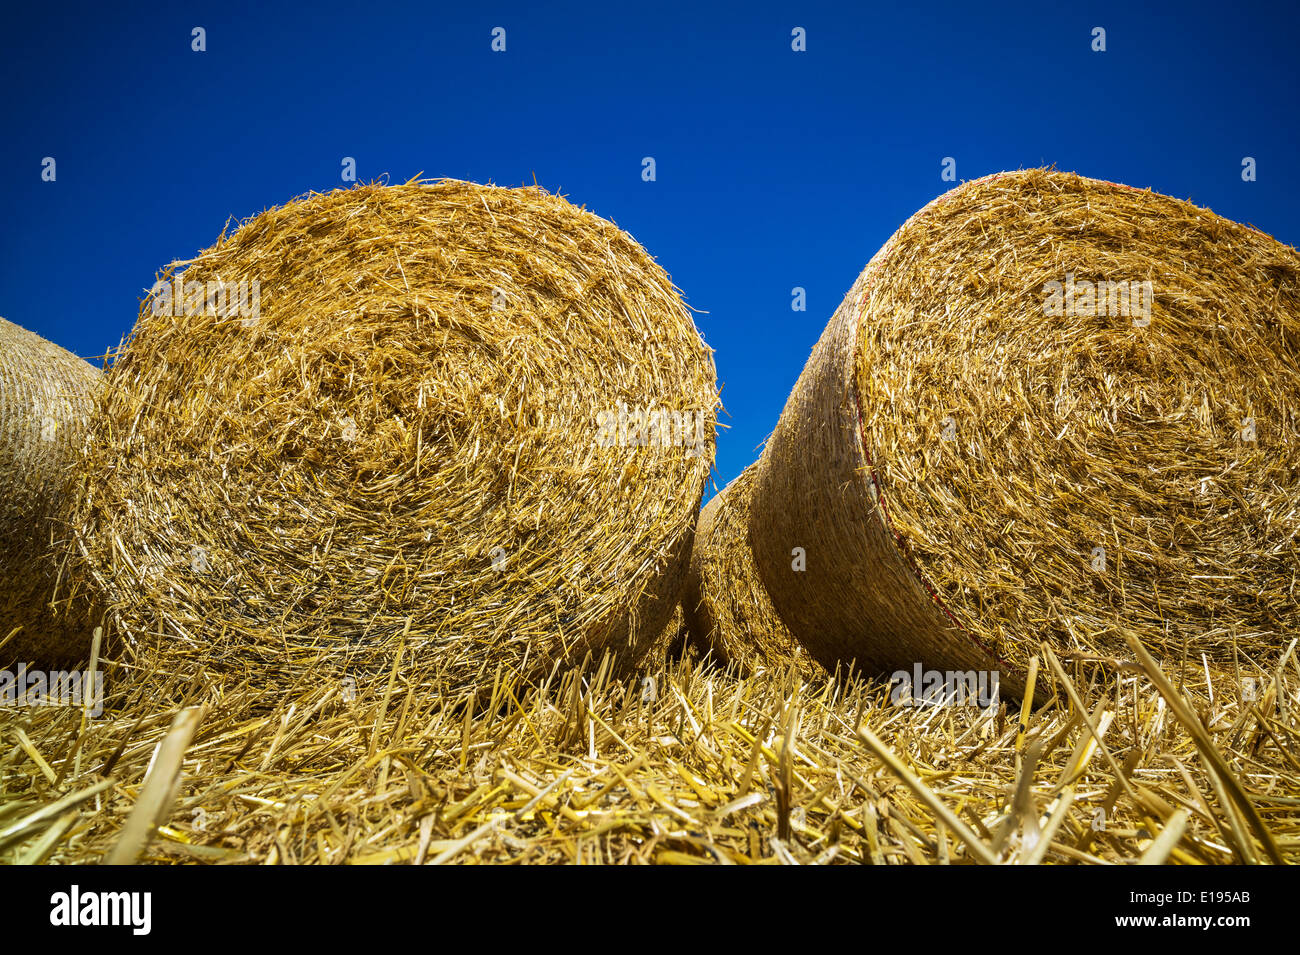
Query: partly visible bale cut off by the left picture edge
[47,397]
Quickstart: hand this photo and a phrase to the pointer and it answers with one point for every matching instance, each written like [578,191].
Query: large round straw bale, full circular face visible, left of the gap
[467,420]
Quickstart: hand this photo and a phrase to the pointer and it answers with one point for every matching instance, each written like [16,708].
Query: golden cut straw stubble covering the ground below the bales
[684,765]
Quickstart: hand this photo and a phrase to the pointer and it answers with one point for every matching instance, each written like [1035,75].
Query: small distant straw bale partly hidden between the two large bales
[726,605]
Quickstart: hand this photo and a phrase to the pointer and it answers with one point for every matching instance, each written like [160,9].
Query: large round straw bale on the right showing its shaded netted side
[990,449]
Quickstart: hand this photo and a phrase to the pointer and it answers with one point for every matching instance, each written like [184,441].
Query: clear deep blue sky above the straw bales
[775,168]
